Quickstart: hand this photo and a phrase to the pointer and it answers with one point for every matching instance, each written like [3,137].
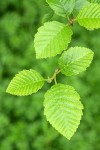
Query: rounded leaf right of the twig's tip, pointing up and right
[75,60]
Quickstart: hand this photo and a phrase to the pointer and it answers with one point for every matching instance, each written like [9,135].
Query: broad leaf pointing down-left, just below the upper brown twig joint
[52,39]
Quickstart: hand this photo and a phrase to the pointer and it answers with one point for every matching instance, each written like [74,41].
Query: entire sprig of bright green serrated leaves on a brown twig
[62,105]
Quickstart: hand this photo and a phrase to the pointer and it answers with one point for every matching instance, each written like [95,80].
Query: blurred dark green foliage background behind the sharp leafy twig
[22,123]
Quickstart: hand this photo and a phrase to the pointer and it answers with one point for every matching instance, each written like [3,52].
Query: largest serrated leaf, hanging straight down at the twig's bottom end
[63,109]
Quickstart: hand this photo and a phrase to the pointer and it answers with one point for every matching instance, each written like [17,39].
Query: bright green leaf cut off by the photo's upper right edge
[89,17]
